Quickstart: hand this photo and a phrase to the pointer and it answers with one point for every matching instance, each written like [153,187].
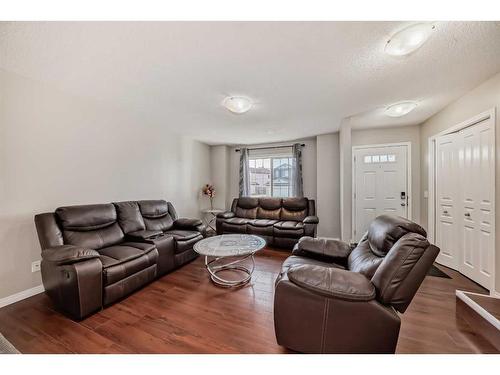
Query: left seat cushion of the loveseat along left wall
[121,261]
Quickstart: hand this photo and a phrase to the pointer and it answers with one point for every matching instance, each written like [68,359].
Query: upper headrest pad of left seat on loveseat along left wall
[86,217]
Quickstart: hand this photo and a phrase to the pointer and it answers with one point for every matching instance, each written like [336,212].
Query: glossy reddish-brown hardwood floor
[184,312]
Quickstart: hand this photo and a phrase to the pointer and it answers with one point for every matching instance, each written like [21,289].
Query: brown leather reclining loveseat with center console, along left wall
[94,255]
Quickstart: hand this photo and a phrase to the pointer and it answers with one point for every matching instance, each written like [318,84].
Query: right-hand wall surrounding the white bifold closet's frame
[482,98]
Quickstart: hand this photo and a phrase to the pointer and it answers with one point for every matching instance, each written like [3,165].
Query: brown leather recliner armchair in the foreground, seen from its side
[331,299]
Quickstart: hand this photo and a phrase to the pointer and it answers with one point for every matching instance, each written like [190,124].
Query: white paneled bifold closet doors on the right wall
[465,212]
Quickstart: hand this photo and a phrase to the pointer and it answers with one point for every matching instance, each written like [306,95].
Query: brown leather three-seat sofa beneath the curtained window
[280,221]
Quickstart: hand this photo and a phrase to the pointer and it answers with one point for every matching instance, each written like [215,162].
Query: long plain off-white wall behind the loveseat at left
[57,149]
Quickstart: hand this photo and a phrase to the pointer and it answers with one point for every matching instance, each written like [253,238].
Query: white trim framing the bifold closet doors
[431,204]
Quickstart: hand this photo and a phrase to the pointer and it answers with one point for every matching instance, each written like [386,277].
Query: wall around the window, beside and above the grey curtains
[308,167]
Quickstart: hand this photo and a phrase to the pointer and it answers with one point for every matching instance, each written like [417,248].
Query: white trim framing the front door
[408,178]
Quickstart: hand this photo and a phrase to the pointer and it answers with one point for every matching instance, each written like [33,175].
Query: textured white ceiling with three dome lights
[304,76]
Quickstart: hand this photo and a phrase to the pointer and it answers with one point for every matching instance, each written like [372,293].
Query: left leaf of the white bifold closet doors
[448,209]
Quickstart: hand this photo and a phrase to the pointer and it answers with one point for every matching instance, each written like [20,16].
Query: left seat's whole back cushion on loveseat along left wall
[94,226]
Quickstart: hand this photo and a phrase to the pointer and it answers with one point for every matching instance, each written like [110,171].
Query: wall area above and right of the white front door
[394,135]
